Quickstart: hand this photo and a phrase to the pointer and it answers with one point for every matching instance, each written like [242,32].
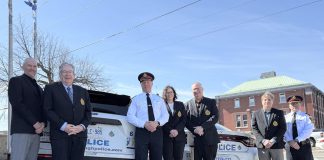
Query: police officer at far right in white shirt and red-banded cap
[299,129]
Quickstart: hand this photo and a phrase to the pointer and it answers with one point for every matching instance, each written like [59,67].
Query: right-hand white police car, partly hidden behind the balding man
[234,145]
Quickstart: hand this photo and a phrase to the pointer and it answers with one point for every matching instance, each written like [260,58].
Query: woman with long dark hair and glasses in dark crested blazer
[174,138]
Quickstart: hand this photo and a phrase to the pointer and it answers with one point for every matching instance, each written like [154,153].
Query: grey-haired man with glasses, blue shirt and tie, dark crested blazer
[68,109]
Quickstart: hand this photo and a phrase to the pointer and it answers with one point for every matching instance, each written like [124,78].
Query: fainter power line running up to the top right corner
[230,26]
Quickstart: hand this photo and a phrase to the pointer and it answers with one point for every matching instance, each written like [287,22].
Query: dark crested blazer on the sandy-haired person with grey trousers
[276,128]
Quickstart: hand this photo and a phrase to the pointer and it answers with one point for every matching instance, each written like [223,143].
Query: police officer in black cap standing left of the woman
[148,112]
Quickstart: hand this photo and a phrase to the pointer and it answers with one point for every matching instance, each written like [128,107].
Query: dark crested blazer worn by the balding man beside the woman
[207,118]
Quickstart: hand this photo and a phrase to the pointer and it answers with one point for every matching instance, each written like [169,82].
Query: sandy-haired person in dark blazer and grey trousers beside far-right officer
[269,127]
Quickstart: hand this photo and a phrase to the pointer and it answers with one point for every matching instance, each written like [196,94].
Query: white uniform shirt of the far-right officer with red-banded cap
[304,126]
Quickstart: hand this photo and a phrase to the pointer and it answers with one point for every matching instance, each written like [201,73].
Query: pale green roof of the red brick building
[264,84]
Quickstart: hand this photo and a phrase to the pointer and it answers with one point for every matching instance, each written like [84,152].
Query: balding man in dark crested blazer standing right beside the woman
[201,120]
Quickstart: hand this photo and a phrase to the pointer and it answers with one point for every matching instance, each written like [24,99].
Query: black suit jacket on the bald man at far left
[26,101]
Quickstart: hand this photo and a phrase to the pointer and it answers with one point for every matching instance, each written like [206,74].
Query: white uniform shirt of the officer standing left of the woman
[138,114]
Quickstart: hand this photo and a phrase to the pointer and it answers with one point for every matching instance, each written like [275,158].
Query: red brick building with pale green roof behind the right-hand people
[237,105]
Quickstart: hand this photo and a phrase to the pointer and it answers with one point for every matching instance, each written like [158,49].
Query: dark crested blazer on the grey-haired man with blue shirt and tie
[60,109]
